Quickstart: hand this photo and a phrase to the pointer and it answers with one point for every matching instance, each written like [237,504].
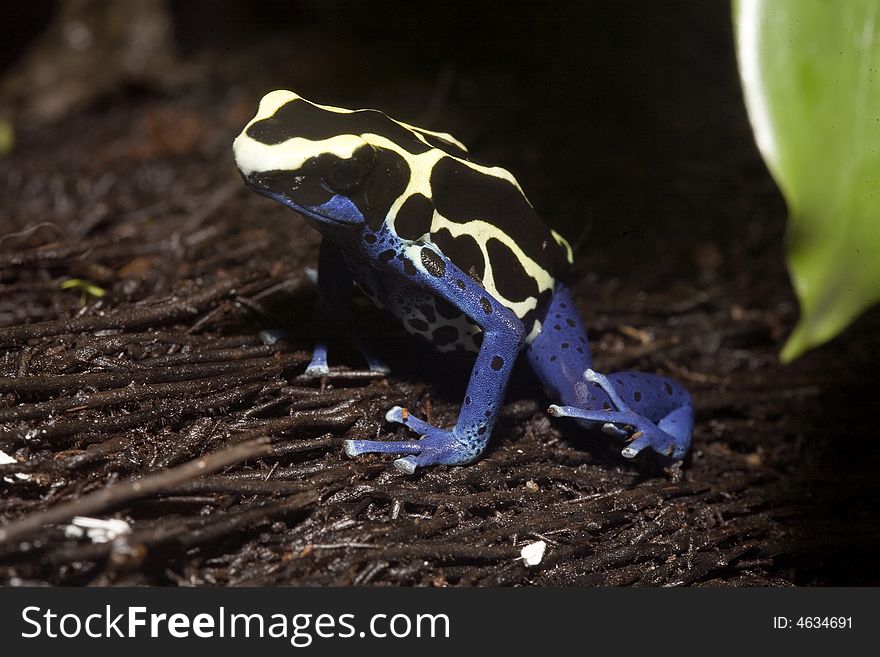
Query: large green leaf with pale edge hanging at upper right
[811,74]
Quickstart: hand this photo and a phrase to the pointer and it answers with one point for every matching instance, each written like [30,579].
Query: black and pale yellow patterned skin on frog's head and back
[423,187]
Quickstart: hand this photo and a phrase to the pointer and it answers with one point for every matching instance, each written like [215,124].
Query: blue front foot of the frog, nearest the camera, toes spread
[435,447]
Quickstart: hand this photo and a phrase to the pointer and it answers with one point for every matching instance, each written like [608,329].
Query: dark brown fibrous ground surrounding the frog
[158,404]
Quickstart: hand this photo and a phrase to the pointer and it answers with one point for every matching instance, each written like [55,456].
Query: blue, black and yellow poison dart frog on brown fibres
[456,252]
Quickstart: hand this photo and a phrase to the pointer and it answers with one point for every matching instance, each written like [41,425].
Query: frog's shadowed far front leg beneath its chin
[333,313]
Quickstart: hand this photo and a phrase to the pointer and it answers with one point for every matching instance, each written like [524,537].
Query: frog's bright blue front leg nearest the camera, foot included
[503,336]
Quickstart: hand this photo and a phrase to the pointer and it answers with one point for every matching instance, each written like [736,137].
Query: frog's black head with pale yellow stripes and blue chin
[338,167]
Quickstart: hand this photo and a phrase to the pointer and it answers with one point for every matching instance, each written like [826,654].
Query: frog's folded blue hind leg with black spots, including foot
[650,410]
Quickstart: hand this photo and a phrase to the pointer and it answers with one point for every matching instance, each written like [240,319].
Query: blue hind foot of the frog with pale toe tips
[670,437]
